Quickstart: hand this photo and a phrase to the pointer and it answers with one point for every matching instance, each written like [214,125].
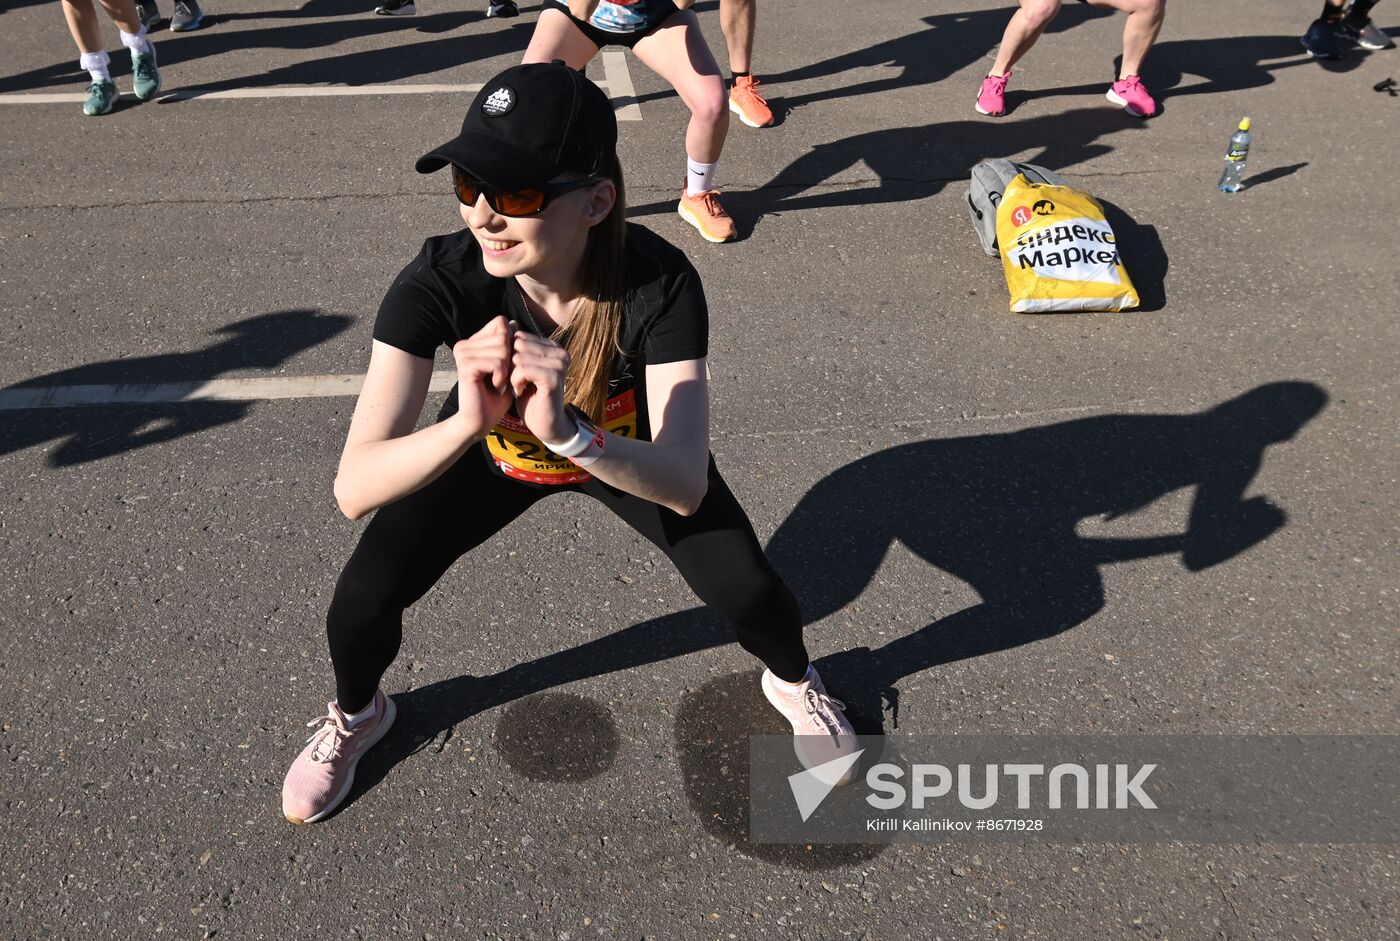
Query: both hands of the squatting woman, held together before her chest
[502,363]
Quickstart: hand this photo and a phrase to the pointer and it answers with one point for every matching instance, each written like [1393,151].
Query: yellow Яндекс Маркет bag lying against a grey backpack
[1059,253]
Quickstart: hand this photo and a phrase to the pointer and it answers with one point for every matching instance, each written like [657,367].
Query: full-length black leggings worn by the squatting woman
[411,544]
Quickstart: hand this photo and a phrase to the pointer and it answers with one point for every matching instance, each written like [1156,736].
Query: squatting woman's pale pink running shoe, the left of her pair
[323,775]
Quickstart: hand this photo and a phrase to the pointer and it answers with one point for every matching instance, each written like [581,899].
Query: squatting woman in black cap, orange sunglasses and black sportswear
[580,347]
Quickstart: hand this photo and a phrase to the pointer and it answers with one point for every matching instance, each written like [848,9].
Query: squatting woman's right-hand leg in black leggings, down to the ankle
[722,561]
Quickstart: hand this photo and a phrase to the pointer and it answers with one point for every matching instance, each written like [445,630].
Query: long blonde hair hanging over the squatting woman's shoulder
[593,334]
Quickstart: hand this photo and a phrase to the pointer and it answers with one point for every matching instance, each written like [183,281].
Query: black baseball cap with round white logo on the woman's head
[533,124]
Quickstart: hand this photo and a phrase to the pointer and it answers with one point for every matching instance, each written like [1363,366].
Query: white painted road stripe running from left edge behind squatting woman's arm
[254,390]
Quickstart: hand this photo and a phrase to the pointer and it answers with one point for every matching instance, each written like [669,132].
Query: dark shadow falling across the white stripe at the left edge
[85,435]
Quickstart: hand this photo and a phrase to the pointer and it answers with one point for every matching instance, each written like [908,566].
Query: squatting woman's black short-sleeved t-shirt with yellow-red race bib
[446,296]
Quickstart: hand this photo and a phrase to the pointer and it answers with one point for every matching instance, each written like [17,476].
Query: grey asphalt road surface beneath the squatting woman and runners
[1000,502]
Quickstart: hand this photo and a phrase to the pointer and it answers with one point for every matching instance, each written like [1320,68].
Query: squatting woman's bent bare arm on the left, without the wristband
[384,460]
